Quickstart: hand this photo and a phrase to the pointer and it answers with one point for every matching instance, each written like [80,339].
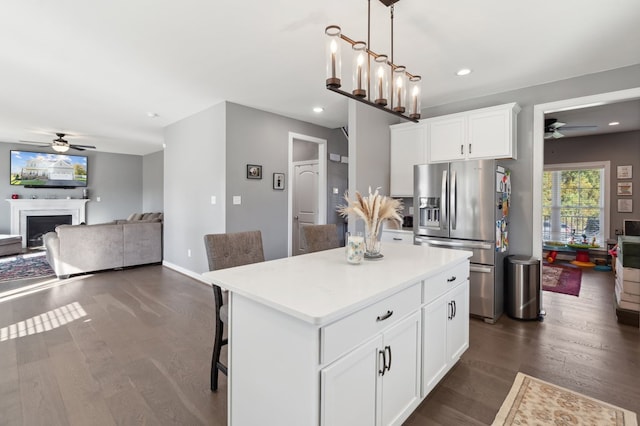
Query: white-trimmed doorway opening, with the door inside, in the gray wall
[307,183]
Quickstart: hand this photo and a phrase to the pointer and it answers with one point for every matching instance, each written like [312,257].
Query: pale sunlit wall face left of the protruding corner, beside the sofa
[194,171]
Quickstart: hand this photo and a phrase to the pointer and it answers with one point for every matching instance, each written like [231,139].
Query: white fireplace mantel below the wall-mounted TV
[23,207]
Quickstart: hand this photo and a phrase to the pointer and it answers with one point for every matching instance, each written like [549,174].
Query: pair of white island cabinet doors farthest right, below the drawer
[445,334]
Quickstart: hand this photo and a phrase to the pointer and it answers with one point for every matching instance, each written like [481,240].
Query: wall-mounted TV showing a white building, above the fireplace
[43,170]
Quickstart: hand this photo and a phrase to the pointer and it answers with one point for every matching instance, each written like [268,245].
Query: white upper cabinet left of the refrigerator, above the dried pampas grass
[408,147]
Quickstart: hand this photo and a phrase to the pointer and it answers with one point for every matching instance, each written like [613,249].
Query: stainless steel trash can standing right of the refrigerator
[523,296]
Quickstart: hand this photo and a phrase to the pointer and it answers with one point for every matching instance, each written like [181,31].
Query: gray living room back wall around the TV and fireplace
[115,178]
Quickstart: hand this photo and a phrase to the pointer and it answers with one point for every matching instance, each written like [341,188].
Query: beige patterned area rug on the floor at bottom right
[535,402]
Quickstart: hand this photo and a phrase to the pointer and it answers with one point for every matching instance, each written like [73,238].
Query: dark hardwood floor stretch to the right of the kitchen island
[579,346]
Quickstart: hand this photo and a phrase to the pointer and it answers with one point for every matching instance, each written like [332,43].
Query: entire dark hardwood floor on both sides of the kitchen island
[134,346]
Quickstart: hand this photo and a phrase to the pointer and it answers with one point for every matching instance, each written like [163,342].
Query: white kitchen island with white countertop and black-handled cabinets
[314,340]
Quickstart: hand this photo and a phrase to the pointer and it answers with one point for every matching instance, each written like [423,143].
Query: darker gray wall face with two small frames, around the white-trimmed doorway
[259,137]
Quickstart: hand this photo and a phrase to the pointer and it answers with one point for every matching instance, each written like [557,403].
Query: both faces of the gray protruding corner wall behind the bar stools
[206,155]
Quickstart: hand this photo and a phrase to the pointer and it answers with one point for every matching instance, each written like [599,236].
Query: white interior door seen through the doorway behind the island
[305,201]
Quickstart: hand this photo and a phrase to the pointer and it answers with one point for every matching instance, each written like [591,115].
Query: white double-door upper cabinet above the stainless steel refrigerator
[479,134]
